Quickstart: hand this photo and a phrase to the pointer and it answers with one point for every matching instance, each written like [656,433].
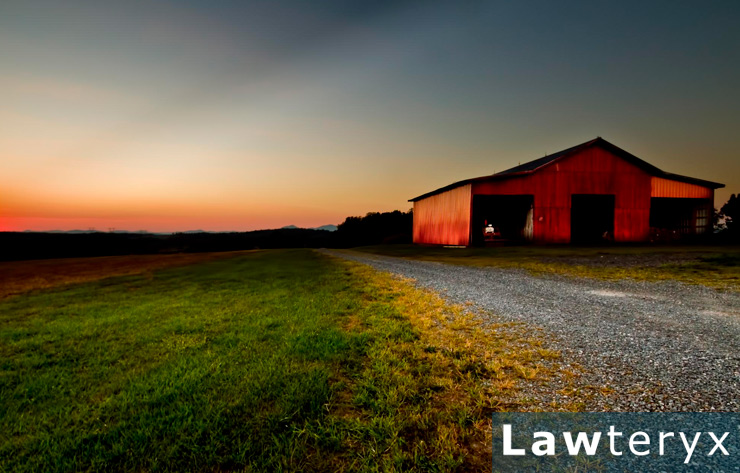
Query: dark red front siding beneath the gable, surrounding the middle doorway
[589,171]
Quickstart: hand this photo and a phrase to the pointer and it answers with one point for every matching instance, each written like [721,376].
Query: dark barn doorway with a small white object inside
[510,215]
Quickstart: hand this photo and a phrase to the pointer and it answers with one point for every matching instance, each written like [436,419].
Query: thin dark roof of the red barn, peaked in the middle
[537,164]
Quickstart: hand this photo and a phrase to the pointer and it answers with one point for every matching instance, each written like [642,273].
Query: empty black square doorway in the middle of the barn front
[591,218]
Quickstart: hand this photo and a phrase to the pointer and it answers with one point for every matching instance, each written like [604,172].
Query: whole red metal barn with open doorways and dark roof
[592,192]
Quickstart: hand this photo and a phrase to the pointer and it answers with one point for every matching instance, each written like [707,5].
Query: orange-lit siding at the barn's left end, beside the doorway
[444,219]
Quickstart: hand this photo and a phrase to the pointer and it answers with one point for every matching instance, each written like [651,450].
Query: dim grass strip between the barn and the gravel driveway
[713,266]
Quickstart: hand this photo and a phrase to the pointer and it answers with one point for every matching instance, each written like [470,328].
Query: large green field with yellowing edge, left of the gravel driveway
[265,361]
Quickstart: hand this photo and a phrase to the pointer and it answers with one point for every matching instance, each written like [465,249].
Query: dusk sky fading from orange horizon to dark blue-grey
[241,115]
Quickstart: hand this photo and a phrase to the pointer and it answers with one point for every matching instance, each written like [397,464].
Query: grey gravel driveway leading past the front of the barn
[662,346]
